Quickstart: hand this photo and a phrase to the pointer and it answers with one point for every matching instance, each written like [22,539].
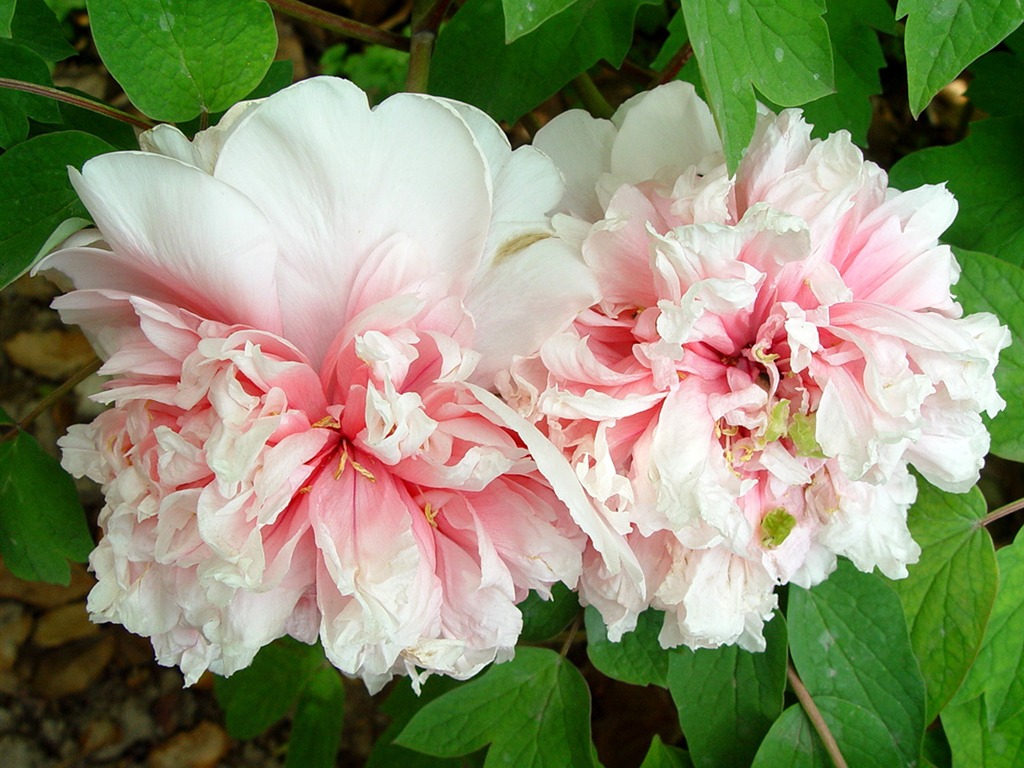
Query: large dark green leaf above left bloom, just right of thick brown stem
[473,64]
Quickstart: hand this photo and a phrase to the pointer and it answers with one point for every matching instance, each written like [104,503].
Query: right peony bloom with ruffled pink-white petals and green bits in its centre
[770,354]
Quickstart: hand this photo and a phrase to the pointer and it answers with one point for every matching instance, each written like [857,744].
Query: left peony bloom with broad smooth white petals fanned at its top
[303,311]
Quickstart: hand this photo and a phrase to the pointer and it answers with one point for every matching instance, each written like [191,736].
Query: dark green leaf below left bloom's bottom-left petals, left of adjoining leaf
[257,698]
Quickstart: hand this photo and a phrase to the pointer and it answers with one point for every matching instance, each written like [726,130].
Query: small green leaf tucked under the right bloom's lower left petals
[638,658]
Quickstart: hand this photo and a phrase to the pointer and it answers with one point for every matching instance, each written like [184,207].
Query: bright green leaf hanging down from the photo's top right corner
[944,38]
